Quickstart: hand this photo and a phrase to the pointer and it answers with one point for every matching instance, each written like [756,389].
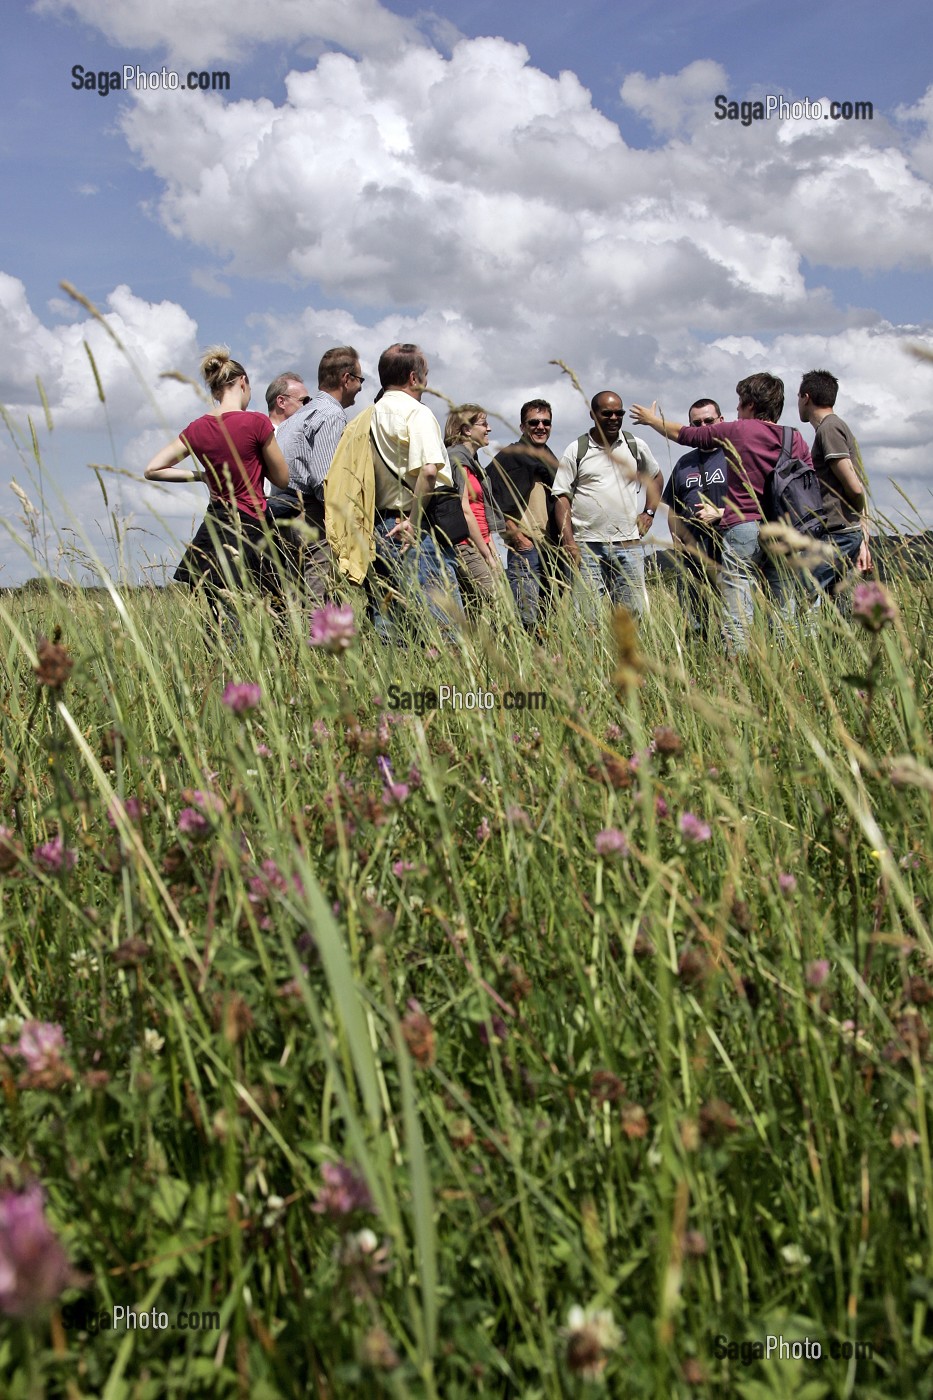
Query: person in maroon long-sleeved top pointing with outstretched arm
[753,447]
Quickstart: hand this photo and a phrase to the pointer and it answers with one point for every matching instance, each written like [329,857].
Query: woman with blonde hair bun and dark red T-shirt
[236,451]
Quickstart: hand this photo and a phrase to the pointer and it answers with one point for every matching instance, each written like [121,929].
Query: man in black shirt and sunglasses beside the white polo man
[522,477]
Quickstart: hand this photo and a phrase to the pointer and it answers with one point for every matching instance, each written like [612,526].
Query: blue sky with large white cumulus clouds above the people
[505,184]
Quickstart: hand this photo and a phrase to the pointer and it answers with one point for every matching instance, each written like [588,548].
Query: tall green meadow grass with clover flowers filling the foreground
[478,1052]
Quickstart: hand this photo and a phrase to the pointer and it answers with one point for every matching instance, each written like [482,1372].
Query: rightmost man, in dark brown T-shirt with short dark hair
[836,454]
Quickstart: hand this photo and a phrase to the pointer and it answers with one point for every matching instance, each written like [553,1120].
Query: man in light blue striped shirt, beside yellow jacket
[309,440]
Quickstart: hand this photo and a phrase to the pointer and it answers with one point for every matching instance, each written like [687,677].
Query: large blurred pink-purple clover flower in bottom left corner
[34,1268]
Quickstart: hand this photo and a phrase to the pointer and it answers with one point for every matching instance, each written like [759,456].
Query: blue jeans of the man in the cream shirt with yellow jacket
[427,572]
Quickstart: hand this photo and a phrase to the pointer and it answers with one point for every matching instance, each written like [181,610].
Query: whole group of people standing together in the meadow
[387,502]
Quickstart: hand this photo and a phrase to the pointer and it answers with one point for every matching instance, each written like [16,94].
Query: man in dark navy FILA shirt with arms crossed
[698,478]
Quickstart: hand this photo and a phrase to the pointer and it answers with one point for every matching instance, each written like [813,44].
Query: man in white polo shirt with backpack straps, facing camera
[607,491]
